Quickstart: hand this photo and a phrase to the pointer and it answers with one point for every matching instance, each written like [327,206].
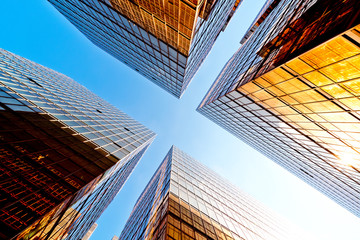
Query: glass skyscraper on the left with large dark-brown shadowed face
[65,152]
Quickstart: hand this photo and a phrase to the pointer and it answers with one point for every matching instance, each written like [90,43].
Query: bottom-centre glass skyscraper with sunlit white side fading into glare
[186,200]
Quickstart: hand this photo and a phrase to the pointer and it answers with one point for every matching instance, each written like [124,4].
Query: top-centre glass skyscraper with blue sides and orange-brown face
[165,41]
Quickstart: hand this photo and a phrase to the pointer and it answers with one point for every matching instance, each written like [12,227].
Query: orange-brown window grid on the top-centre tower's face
[171,21]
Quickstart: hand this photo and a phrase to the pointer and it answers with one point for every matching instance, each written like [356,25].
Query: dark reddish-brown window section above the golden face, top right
[317,21]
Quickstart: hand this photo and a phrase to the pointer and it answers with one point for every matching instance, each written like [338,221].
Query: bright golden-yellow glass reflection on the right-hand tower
[317,94]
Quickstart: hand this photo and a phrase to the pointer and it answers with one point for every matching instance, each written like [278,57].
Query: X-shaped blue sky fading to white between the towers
[35,30]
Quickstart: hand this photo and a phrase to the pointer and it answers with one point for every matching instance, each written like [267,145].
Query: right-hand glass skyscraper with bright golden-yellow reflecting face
[292,92]
